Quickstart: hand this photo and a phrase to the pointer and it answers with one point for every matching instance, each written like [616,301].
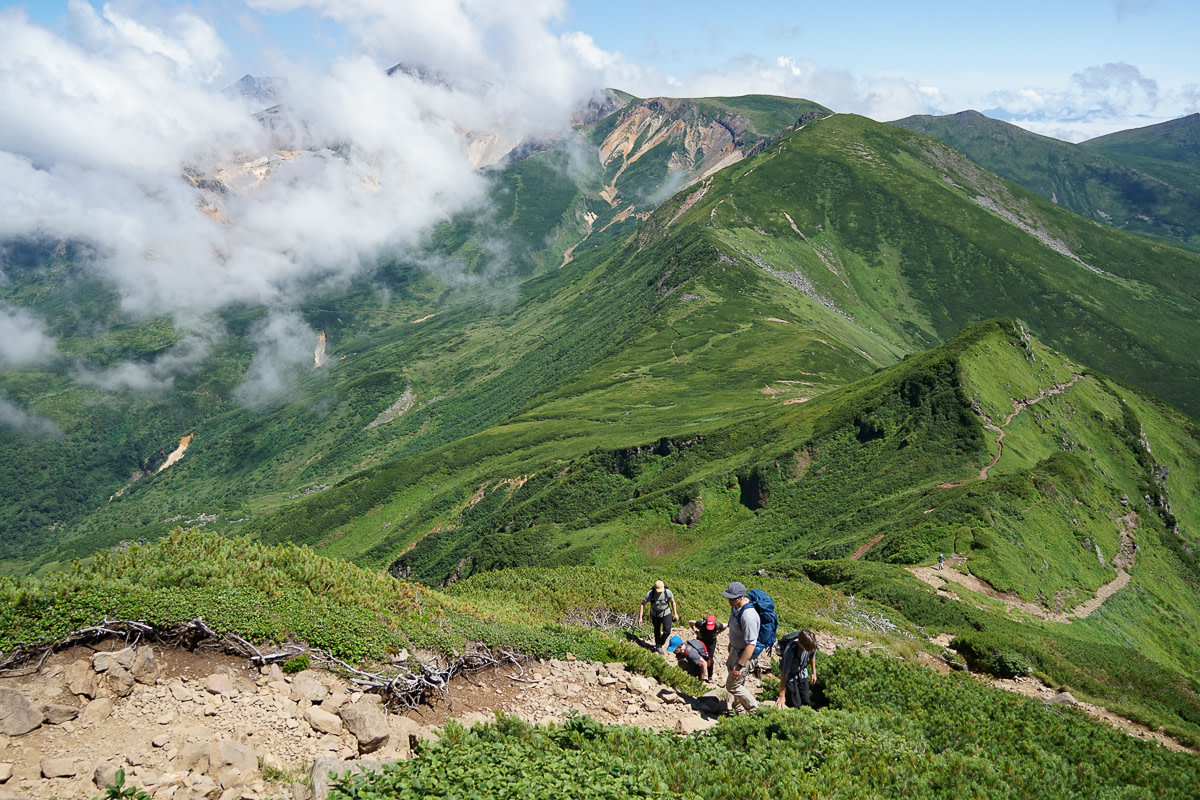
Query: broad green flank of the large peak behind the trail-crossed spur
[916,243]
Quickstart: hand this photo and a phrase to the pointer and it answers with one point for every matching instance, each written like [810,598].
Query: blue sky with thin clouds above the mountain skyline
[1070,69]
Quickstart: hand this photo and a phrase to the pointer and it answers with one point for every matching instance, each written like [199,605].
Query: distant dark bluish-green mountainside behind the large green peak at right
[1090,182]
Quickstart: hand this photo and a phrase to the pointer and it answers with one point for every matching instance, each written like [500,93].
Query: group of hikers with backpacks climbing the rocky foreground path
[752,630]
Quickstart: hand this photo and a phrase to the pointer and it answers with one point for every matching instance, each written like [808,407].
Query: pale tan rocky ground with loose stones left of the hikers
[188,725]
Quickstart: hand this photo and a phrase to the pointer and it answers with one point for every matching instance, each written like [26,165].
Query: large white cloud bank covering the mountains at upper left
[119,135]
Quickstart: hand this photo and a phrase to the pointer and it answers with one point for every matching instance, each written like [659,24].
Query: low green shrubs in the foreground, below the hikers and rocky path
[884,727]
